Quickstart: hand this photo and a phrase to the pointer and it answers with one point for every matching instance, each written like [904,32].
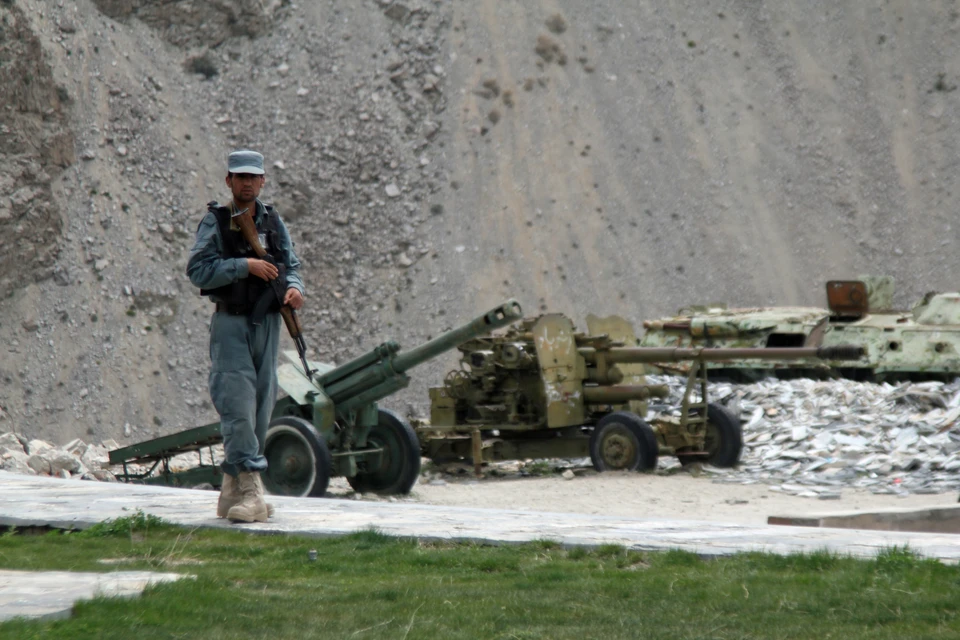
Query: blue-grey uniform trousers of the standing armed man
[243,386]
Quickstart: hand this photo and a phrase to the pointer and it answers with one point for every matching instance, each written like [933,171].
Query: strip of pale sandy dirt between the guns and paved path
[672,497]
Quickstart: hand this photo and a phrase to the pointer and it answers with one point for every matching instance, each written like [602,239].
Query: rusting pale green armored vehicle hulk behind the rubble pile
[920,343]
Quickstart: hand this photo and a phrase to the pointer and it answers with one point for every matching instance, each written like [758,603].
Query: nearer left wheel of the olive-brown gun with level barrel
[623,441]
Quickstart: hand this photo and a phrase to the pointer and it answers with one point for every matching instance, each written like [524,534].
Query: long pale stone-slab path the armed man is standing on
[42,501]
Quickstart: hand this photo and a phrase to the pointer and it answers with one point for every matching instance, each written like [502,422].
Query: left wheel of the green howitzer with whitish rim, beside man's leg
[298,459]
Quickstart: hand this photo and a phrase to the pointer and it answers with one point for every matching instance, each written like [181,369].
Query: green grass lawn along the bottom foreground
[368,585]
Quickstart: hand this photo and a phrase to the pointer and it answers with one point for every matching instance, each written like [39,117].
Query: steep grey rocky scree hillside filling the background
[433,157]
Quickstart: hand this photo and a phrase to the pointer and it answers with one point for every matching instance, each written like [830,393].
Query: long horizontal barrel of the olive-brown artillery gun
[679,354]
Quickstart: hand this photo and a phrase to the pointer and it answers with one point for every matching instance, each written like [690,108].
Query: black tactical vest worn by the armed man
[242,296]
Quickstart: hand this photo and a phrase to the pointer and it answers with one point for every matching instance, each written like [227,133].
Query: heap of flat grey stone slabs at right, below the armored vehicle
[815,437]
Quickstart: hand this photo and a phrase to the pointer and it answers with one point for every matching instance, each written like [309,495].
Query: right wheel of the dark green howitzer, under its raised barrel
[398,465]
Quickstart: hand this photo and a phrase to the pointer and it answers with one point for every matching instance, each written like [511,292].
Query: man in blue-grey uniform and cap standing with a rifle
[245,328]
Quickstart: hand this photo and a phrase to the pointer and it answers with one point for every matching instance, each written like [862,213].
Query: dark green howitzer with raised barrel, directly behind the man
[326,426]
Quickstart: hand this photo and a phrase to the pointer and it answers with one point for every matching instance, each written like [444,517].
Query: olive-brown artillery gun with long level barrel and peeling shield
[542,390]
